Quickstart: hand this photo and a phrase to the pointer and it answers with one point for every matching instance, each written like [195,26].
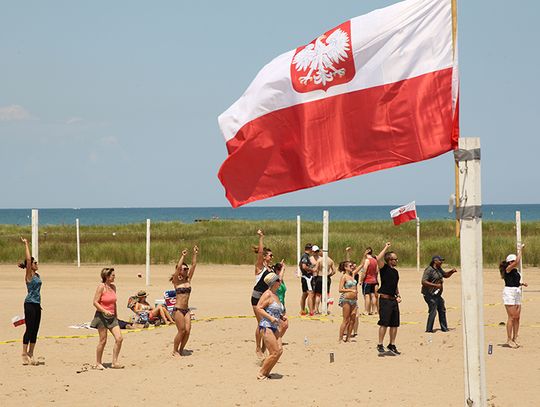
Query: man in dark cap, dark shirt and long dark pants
[432,287]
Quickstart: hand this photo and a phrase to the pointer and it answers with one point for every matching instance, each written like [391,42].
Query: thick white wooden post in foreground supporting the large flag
[472,294]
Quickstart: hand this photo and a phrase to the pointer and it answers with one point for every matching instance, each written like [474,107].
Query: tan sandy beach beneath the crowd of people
[222,366]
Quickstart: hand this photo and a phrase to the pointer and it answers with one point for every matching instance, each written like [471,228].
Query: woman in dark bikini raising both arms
[181,280]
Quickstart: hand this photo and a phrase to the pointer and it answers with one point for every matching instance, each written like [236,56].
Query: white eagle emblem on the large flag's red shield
[320,57]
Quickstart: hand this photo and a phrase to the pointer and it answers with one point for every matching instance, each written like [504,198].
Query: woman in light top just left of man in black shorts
[348,299]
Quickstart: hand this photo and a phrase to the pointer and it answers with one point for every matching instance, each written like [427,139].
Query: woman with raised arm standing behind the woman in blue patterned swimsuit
[263,267]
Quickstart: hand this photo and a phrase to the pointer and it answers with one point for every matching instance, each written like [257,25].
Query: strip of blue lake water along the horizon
[111,216]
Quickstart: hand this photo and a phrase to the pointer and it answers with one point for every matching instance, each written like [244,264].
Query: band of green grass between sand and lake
[230,241]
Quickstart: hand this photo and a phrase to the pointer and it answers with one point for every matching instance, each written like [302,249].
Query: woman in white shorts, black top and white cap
[512,295]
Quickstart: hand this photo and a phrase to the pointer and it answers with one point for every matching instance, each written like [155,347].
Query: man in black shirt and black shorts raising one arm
[389,300]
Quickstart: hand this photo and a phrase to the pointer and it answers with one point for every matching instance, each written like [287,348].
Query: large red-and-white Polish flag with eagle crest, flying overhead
[375,92]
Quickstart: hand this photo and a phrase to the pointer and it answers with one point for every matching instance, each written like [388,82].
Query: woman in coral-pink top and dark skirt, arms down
[105,318]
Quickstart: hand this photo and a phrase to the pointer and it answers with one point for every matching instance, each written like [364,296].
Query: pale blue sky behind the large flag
[110,104]
